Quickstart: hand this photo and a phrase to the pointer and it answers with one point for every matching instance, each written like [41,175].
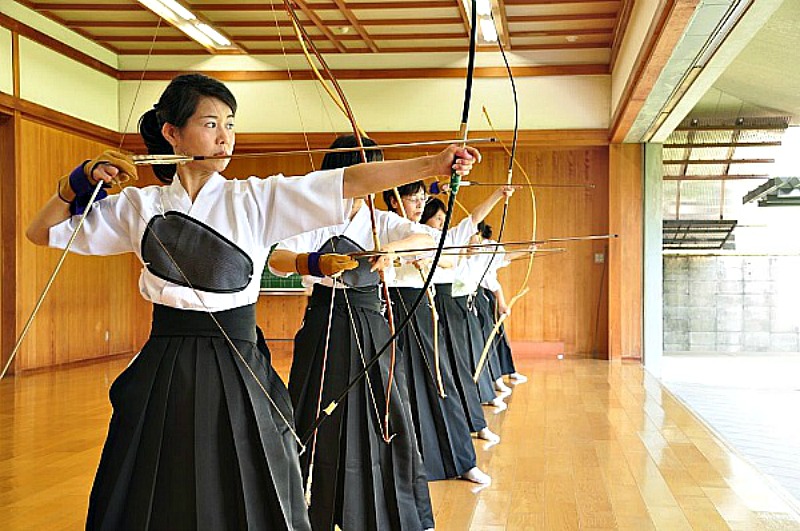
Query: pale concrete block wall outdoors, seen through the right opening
[731,303]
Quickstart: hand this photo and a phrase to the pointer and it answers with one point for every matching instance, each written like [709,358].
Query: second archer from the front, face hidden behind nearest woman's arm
[353,478]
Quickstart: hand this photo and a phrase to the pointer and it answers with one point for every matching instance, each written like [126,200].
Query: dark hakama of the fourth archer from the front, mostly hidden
[453,324]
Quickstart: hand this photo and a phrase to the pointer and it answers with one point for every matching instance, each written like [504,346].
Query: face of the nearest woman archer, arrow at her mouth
[209,132]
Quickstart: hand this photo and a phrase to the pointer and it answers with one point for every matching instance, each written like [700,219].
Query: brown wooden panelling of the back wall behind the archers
[565,288]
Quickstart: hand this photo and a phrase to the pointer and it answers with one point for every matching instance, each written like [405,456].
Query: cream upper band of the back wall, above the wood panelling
[563,102]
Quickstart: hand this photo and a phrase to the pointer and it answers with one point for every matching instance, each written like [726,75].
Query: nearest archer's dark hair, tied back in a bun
[177,104]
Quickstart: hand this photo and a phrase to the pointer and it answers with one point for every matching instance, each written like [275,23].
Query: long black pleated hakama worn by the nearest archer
[194,442]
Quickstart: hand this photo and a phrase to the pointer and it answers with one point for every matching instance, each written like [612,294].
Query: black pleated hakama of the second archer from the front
[358,481]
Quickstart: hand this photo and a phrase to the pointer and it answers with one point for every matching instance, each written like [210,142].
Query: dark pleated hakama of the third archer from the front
[443,435]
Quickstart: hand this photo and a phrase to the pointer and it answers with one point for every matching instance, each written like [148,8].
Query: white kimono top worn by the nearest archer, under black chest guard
[253,213]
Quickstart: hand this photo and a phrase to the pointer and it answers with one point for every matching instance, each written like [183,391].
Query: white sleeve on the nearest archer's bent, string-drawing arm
[105,231]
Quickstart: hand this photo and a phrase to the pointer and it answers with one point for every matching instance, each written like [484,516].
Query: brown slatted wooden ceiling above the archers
[337,26]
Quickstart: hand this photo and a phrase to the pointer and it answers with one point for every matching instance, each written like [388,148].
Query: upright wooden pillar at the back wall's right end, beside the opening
[626,281]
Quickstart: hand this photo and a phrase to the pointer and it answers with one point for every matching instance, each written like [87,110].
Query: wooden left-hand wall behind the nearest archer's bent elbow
[94,308]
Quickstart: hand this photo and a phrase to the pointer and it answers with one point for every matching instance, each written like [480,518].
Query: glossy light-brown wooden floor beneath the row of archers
[585,445]
